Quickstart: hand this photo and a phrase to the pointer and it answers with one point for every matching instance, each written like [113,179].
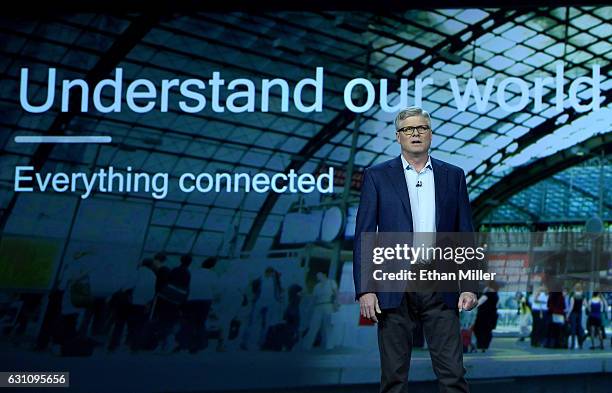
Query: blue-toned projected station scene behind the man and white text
[278,255]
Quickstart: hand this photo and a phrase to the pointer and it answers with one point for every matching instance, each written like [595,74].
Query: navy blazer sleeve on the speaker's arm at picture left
[367,221]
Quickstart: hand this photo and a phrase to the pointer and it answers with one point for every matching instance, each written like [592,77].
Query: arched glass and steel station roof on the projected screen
[441,44]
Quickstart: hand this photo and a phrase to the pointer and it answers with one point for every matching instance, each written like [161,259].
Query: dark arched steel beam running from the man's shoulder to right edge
[524,176]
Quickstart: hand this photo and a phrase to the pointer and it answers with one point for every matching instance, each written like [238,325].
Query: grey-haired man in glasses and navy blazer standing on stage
[415,193]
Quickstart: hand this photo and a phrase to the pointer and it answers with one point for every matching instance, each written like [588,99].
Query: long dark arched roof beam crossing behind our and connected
[345,117]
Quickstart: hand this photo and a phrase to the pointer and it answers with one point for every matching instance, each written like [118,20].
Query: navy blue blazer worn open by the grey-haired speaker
[385,207]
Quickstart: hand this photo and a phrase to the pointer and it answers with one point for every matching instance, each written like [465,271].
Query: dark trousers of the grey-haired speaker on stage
[442,332]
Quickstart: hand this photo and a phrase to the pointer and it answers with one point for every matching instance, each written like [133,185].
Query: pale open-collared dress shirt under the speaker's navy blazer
[423,197]
